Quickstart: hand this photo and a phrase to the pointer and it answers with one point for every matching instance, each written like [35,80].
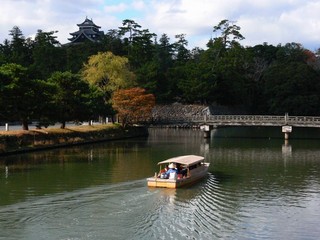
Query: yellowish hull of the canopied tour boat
[176,183]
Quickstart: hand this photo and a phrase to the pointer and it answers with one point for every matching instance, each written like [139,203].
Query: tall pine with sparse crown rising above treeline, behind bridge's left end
[229,62]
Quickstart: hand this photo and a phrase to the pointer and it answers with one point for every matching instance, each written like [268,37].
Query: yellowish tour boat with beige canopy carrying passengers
[182,170]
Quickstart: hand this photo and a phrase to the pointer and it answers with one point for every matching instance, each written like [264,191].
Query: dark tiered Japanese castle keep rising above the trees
[88,31]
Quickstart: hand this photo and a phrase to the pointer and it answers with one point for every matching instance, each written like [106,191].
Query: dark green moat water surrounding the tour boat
[257,188]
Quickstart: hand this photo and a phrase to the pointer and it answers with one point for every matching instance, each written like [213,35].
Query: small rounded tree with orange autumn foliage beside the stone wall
[133,105]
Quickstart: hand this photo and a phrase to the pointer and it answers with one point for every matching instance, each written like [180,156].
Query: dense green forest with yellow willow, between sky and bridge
[44,80]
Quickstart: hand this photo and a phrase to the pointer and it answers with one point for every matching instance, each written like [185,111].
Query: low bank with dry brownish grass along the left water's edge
[21,141]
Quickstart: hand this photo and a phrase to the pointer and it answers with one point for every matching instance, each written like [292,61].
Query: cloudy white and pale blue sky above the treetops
[261,21]
